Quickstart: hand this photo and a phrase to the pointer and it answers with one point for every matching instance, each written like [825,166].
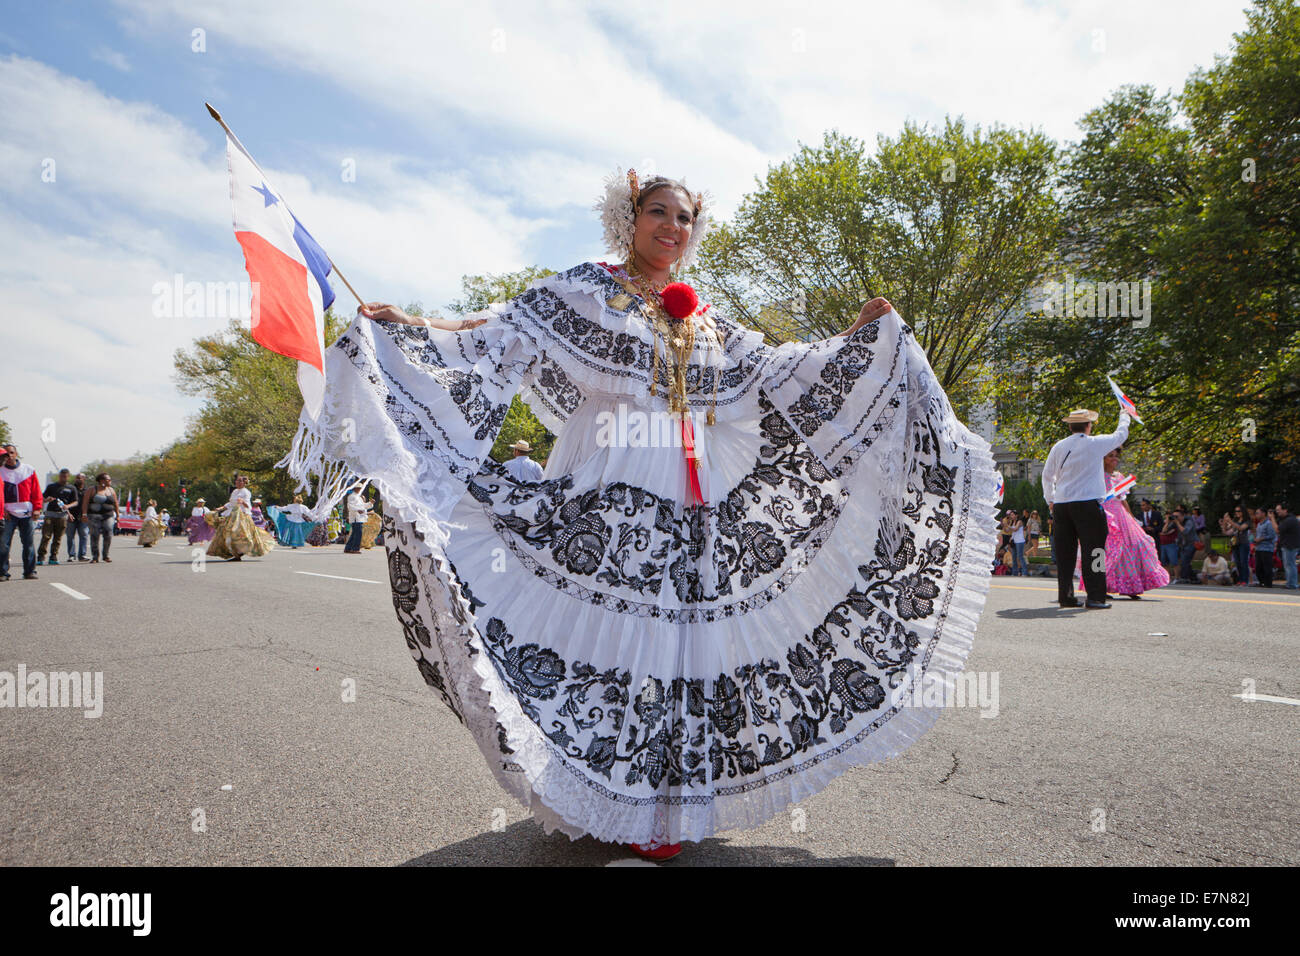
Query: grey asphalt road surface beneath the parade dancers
[1117,739]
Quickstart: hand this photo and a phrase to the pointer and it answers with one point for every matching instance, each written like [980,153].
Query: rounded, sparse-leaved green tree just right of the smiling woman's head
[951,226]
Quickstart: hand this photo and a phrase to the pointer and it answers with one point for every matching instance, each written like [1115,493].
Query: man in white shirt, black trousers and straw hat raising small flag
[1074,483]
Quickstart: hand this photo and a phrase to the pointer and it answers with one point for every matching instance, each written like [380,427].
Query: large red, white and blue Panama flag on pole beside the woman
[288,270]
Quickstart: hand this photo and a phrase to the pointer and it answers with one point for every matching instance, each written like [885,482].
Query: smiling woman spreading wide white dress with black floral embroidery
[665,639]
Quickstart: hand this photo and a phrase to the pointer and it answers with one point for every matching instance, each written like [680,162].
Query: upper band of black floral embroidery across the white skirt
[765,530]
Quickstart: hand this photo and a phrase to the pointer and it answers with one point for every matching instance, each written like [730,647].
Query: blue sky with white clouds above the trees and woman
[479,133]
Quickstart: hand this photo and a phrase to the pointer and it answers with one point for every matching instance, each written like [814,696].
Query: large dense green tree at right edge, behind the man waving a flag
[1199,194]
